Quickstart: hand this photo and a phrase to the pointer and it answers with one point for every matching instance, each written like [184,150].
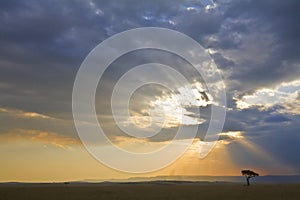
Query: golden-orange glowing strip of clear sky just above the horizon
[31,155]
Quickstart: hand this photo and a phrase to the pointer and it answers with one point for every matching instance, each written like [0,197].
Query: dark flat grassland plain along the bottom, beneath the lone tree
[153,191]
